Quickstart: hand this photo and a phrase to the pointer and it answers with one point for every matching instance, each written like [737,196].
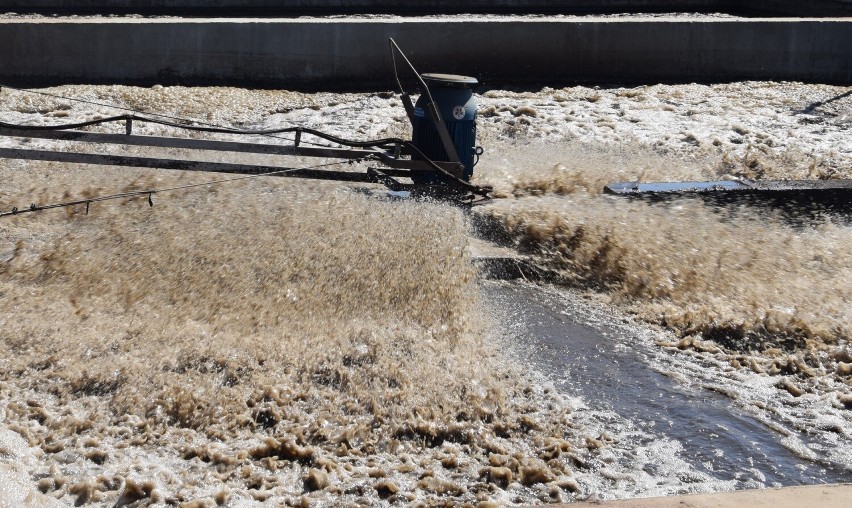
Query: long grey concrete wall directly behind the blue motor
[353,54]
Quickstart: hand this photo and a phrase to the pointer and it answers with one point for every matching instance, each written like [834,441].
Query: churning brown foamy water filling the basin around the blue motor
[280,341]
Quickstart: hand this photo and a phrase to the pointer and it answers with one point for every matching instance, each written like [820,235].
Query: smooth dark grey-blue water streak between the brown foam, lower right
[593,356]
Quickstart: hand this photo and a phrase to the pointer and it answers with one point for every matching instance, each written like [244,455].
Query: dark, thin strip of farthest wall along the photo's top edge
[293,7]
